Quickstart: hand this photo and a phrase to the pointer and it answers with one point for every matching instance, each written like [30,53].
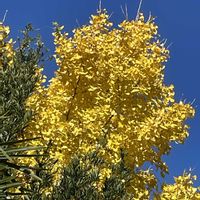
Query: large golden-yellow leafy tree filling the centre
[109,94]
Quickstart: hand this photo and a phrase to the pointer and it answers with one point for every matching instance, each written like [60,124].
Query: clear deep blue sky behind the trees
[179,23]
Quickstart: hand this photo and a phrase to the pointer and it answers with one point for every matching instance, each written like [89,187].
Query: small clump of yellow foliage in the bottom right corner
[182,189]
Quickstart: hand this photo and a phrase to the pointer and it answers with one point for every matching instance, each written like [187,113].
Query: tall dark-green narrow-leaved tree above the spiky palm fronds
[17,84]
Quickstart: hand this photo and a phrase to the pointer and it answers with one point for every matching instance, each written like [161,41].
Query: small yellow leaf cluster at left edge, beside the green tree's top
[6,47]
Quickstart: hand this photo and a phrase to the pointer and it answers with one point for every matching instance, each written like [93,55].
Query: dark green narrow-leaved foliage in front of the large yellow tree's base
[81,175]
